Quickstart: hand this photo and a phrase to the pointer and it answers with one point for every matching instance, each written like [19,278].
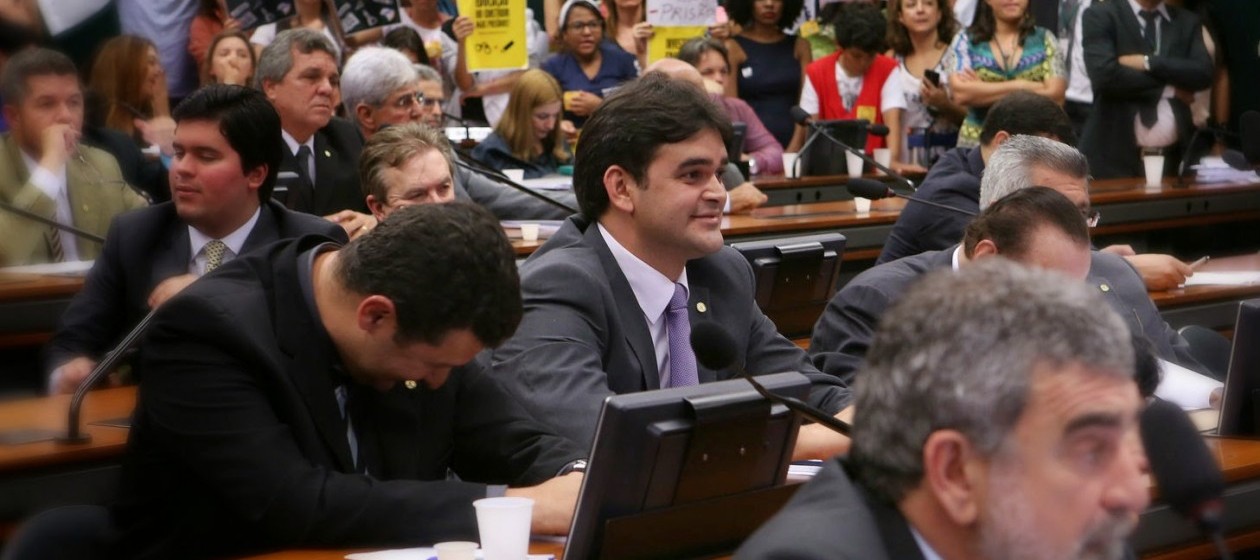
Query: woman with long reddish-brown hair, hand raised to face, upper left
[133,89]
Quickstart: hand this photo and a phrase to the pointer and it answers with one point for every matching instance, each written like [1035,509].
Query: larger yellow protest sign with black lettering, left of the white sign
[500,40]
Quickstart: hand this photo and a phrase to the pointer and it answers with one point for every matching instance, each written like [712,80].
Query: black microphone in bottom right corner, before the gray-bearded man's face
[1184,469]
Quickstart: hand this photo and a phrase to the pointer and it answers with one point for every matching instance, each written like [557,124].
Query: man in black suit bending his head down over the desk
[319,397]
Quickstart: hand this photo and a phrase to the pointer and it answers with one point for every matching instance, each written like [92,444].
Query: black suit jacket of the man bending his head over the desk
[239,443]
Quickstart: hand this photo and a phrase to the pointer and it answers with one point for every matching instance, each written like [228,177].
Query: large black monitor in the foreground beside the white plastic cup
[686,472]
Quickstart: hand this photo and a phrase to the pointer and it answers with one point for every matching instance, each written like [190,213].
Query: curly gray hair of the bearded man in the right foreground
[959,351]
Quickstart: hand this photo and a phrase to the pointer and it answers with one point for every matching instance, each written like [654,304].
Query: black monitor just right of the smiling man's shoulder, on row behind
[796,278]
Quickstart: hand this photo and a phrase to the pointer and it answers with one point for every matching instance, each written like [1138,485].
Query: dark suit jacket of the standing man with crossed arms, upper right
[1111,30]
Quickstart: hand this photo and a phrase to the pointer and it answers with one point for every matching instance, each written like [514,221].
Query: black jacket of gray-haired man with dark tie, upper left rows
[338,147]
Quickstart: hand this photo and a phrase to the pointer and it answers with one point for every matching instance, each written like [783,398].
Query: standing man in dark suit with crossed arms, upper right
[1146,61]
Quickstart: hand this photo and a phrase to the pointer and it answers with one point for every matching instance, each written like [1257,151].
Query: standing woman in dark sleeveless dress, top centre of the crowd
[769,64]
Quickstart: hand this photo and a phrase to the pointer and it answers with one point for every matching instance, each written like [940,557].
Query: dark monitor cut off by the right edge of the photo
[1239,409]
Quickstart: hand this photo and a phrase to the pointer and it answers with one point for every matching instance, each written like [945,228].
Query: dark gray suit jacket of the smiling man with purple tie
[584,336]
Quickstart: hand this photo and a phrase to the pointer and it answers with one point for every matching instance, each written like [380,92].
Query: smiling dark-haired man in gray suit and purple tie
[610,298]
